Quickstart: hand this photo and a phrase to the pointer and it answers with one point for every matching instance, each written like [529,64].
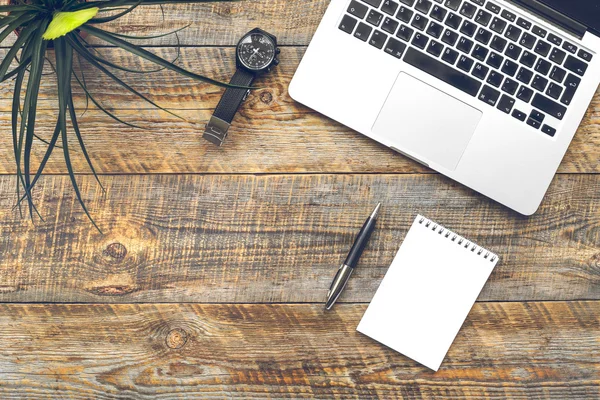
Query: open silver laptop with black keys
[487,92]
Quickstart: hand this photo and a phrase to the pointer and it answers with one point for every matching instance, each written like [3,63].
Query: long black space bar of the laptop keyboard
[442,71]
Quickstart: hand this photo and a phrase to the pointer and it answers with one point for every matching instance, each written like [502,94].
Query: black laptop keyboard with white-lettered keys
[479,48]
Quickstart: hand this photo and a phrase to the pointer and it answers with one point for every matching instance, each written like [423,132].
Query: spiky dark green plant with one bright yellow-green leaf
[65,26]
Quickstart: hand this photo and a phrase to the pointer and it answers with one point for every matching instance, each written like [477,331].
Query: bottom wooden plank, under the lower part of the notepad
[505,350]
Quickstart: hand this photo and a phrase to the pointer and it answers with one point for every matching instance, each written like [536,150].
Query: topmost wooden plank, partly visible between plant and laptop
[221,23]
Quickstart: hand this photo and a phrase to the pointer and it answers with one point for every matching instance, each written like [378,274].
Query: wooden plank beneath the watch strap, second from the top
[272,134]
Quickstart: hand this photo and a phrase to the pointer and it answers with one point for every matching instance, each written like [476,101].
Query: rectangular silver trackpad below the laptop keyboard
[426,122]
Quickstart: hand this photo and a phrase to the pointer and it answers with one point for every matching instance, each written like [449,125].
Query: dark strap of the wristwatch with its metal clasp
[232,99]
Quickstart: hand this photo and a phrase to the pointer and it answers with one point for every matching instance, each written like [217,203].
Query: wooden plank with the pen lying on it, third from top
[279,238]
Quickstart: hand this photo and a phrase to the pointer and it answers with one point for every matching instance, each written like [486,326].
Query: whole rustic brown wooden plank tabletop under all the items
[211,275]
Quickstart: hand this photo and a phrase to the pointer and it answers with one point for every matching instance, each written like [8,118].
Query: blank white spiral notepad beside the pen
[427,292]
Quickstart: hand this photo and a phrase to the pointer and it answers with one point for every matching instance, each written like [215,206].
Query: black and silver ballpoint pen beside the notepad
[345,271]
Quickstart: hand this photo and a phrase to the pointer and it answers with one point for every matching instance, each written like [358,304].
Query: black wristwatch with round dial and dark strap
[256,54]
